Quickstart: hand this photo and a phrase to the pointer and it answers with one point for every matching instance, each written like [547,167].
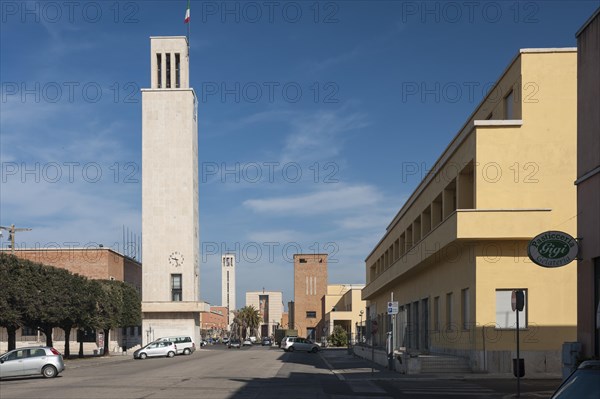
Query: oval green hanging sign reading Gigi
[552,249]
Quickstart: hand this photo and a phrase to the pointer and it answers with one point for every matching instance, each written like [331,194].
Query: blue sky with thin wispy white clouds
[311,114]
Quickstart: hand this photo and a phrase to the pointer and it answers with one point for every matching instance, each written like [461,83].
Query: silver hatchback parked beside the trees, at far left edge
[38,360]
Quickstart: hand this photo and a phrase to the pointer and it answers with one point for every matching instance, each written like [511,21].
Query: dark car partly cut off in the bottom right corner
[583,383]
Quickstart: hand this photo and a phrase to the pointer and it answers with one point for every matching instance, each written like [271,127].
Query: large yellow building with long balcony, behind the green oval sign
[458,247]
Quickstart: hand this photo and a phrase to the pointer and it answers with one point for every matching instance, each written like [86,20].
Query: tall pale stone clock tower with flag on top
[170,241]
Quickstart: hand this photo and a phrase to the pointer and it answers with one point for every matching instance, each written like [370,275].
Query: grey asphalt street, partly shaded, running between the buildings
[256,372]
